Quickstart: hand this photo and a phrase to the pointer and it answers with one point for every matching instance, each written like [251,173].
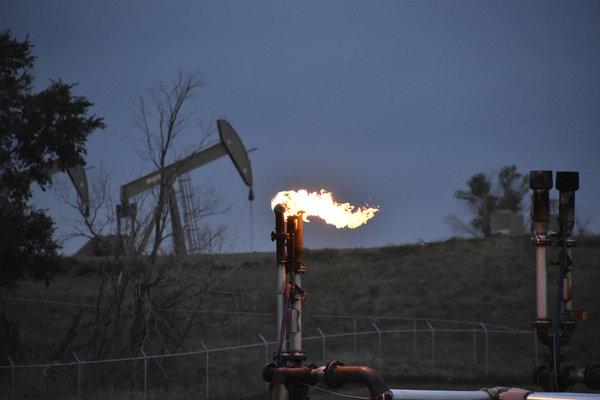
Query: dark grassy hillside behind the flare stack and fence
[490,281]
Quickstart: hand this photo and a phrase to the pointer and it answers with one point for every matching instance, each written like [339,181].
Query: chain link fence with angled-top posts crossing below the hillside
[413,348]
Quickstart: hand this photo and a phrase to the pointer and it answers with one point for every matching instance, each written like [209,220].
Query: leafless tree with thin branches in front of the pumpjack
[152,301]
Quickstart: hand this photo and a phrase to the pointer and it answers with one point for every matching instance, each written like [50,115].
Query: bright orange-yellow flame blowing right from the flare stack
[323,206]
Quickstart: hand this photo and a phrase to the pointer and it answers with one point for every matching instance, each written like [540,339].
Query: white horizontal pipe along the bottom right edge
[407,394]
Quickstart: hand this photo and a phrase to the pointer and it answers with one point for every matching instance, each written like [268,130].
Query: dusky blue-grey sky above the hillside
[391,103]
